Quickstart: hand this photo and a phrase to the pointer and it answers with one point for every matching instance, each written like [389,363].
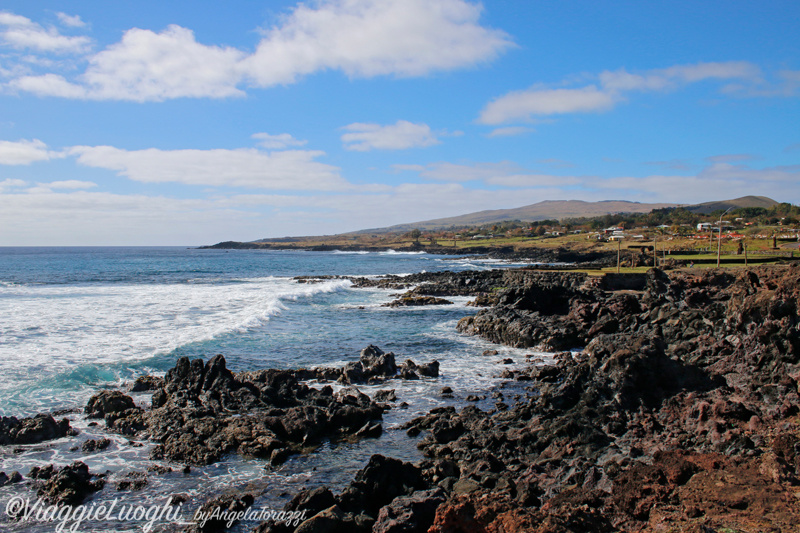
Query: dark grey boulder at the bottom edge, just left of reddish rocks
[409,514]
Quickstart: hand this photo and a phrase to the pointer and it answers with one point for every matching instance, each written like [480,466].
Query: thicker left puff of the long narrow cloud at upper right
[524,105]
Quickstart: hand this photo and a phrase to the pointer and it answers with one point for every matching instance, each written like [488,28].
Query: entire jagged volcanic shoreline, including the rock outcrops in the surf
[673,406]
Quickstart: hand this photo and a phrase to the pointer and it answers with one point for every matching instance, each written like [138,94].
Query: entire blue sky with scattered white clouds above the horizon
[195,122]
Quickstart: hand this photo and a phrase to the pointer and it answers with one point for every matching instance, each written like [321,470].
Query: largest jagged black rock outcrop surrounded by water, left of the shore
[204,411]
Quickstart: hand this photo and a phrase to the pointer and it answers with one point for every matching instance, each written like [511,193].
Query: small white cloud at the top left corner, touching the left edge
[22,33]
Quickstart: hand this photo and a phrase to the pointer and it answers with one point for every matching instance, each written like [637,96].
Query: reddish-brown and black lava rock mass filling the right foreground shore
[682,413]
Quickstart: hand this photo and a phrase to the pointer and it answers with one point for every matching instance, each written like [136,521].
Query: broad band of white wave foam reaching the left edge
[50,329]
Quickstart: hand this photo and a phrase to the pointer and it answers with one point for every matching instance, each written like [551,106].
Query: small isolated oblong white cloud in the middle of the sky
[399,136]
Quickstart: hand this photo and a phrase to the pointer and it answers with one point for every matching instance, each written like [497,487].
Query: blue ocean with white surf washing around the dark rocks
[77,320]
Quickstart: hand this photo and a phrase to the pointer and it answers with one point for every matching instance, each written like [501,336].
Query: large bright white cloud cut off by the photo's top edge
[366,38]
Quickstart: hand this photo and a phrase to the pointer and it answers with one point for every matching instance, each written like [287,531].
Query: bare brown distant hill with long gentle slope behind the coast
[549,209]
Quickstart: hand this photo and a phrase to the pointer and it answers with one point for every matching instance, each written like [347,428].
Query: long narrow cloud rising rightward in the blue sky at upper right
[611,89]
